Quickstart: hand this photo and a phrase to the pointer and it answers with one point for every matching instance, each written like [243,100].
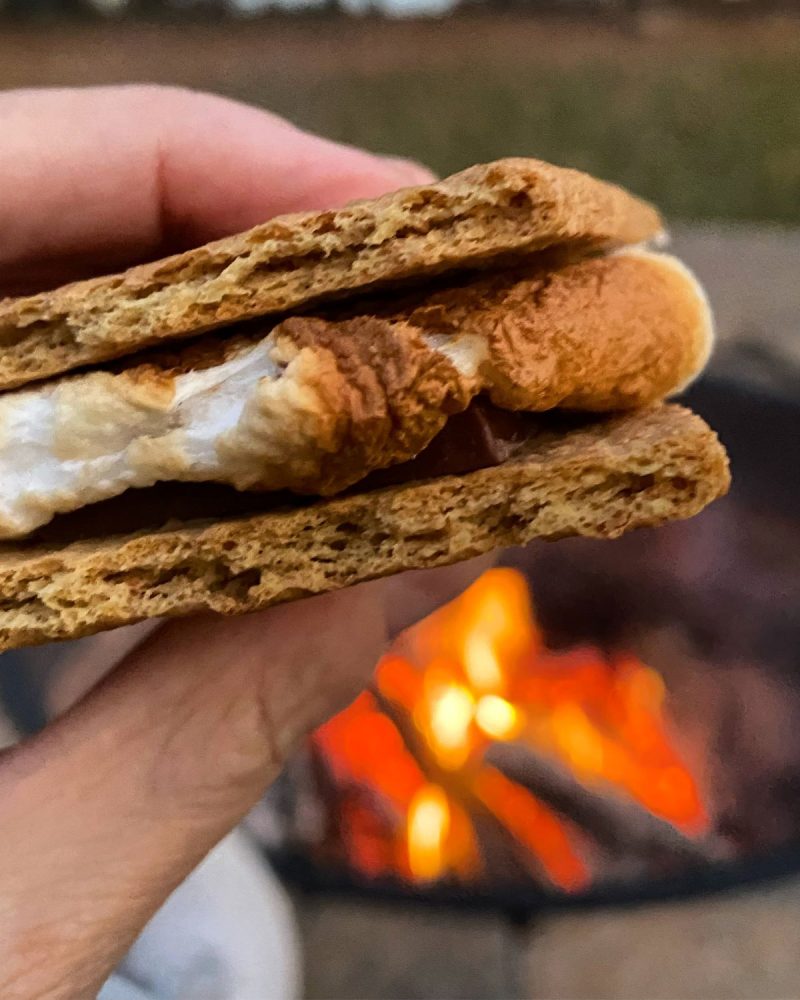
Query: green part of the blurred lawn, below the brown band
[711,138]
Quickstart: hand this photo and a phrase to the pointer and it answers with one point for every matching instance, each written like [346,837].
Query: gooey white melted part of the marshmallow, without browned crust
[87,438]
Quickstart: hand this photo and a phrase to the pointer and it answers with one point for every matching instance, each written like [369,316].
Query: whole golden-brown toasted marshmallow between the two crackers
[316,405]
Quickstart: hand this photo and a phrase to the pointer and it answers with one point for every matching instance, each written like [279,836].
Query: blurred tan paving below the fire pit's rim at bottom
[743,945]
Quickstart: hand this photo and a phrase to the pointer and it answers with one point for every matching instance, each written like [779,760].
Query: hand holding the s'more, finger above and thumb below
[112,805]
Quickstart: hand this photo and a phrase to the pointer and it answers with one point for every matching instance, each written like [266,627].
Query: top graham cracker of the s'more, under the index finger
[510,208]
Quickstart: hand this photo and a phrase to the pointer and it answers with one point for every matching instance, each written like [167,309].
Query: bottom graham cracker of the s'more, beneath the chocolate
[599,478]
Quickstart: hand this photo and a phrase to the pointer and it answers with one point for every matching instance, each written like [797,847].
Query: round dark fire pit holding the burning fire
[593,721]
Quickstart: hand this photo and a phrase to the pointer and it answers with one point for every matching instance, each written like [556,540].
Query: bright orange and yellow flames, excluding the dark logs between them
[476,672]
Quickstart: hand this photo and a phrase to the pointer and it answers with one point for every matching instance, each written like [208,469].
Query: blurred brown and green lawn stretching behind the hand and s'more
[701,116]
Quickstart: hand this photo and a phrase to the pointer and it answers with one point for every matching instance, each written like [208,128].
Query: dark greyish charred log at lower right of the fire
[616,824]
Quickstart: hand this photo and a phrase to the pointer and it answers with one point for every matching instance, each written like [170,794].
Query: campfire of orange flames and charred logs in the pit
[480,755]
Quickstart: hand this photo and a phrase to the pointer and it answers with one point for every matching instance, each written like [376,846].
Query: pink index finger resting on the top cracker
[94,179]
